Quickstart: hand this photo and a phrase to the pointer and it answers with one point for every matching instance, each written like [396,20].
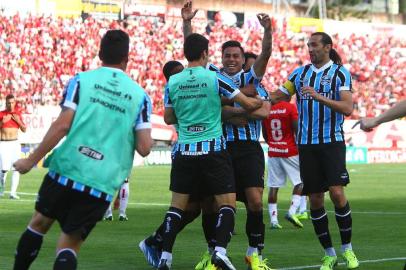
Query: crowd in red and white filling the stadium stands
[39,54]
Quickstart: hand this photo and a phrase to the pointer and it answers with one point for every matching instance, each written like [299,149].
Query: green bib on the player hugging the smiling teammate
[196,101]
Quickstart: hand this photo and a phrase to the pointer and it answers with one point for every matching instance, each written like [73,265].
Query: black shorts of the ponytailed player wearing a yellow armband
[322,166]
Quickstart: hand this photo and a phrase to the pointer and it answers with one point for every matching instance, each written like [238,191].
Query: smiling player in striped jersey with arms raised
[242,137]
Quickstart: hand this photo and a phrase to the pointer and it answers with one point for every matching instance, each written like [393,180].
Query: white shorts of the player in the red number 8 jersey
[280,168]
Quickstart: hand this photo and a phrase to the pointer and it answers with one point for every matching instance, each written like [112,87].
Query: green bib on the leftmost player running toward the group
[99,148]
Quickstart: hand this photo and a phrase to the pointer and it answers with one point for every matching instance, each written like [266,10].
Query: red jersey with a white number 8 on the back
[279,130]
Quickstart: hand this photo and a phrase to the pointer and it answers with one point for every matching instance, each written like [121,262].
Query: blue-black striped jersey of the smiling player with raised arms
[251,131]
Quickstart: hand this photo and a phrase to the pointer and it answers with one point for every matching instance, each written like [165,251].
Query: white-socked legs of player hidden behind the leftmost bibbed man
[121,201]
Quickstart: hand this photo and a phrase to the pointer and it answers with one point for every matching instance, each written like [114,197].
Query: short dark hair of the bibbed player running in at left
[114,47]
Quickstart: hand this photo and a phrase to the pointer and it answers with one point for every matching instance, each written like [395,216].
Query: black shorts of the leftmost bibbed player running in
[74,210]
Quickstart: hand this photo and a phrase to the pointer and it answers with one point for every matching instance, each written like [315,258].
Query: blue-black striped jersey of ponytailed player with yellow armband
[318,123]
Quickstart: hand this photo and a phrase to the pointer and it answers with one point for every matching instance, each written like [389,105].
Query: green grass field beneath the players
[377,195]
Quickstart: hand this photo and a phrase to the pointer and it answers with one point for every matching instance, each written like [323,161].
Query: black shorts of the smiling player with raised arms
[248,164]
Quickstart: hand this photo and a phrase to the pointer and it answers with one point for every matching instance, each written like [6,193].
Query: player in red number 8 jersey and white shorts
[279,130]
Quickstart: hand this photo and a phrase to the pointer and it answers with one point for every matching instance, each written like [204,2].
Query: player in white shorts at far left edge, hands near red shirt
[10,150]
